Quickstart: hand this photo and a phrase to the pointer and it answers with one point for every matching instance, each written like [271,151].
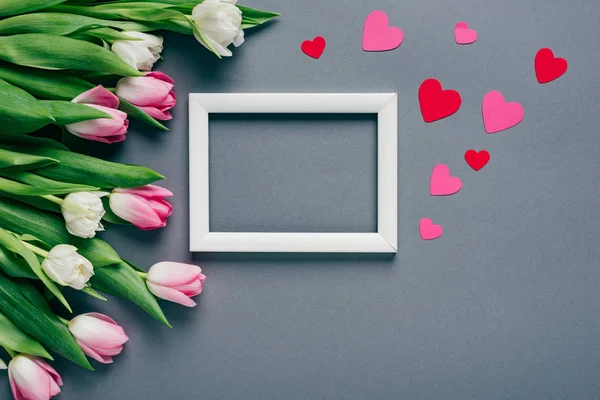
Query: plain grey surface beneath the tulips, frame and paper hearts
[503,306]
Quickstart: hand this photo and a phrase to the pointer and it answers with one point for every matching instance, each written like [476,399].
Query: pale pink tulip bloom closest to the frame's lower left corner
[176,282]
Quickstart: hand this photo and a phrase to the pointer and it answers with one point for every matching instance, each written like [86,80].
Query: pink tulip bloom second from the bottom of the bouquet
[98,336]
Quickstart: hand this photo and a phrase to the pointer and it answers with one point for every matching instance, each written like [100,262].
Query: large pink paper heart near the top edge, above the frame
[378,35]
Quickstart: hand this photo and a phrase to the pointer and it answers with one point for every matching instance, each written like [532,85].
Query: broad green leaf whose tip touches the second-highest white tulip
[40,50]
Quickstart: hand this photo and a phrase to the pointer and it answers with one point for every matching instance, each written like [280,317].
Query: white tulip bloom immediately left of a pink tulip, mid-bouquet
[83,212]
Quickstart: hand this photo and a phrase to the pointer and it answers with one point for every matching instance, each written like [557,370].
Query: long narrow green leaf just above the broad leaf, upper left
[61,24]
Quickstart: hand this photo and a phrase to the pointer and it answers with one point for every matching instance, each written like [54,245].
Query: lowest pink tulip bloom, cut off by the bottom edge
[32,378]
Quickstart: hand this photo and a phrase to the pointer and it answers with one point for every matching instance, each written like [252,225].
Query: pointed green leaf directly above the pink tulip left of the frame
[79,168]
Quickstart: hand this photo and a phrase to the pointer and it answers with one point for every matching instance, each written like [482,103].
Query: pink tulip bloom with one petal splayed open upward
[106,130]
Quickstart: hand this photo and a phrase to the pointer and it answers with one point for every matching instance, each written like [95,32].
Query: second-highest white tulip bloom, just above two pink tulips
[140,54]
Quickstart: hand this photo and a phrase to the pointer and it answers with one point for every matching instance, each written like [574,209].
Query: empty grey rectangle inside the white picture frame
[293,172]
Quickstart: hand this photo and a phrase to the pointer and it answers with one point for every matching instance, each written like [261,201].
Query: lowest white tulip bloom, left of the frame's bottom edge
[67,267]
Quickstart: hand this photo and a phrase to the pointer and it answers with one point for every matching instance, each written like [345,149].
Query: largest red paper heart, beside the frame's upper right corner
[437,103]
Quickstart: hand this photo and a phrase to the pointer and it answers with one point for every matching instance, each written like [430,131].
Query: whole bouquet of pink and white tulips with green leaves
[73,71]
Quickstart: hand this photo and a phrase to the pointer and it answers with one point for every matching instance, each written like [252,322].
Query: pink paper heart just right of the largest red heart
[499,115]
